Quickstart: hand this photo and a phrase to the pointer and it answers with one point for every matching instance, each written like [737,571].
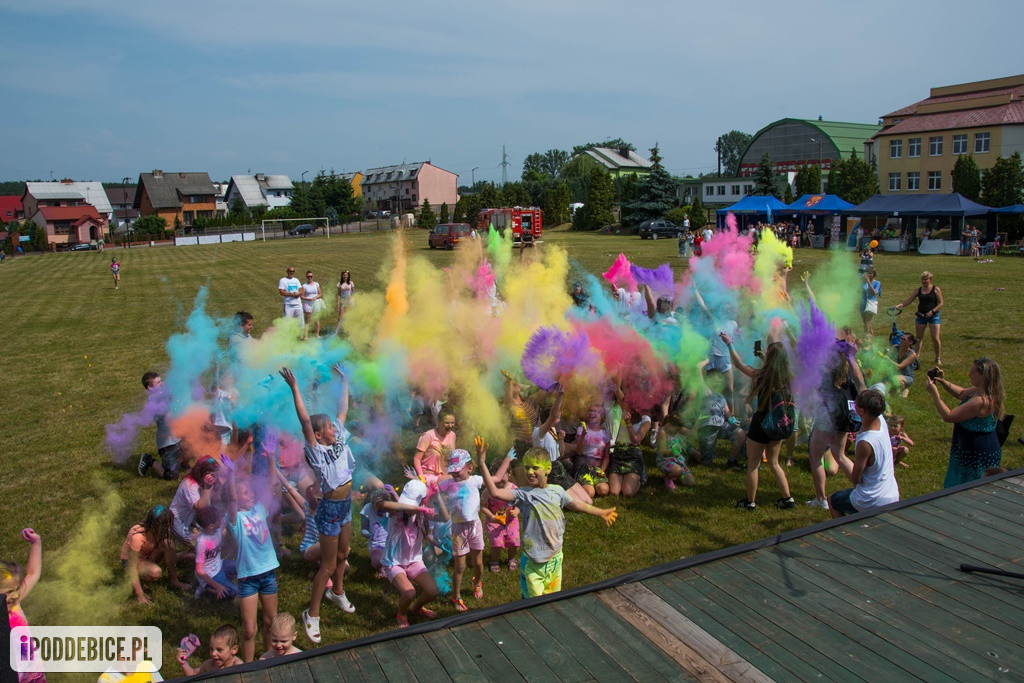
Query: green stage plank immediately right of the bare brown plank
[775,652]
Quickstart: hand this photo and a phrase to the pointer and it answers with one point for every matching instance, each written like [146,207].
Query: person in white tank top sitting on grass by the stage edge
[872,473]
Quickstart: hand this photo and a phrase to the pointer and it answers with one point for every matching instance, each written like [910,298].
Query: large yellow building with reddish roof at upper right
[919,145]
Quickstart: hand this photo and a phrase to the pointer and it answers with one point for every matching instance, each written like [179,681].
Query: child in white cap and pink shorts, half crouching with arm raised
[403,560]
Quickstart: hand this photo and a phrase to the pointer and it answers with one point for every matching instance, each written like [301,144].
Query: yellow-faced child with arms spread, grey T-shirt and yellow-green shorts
[543,521]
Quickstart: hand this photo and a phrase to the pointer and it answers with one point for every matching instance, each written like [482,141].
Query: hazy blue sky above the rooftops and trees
[109,90]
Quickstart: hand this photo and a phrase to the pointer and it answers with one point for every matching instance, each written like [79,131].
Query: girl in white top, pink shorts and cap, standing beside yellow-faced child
[467,532]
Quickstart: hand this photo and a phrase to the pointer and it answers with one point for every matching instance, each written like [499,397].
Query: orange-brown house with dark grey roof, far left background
[177,197]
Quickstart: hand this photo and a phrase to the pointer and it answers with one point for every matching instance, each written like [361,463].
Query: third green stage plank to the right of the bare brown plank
[849,594]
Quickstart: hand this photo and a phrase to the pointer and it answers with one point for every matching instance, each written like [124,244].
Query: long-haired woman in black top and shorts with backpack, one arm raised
[772,380]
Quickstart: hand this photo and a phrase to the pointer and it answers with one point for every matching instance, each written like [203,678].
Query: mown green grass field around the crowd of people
[74,350]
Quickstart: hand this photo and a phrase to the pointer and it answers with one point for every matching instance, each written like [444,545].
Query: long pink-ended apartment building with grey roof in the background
[407,187]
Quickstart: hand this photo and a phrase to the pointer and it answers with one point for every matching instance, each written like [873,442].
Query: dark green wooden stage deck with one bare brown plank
[867,599]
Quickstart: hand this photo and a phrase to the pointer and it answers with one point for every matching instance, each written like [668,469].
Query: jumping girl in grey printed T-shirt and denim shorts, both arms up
[331,459]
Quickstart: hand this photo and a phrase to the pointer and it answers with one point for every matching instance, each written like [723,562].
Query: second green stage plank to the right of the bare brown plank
[846,637]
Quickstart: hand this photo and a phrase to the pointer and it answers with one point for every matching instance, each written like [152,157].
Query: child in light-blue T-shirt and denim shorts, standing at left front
[257,563]
